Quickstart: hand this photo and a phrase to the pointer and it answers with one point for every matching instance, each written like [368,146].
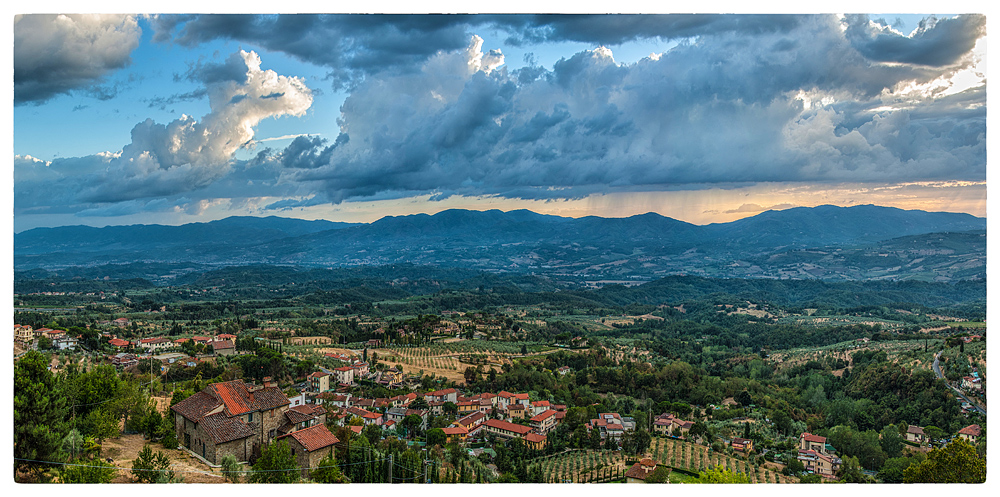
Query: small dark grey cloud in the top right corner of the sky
[935,42]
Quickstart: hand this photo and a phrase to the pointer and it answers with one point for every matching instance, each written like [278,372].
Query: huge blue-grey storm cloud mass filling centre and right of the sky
[726,108]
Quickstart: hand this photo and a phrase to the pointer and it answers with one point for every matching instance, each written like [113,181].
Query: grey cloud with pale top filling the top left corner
[58,54]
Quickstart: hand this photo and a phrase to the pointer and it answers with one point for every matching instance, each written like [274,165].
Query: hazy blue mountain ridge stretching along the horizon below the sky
[644,246]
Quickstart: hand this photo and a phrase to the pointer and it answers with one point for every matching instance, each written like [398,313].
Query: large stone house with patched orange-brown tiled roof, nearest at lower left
[230,418]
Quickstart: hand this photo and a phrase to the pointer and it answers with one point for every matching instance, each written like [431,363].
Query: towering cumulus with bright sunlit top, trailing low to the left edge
[170,159]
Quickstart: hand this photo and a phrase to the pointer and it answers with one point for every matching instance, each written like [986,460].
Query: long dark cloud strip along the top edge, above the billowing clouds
[355,45]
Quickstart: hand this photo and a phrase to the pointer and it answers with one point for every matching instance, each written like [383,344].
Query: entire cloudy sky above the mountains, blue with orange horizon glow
[171,119]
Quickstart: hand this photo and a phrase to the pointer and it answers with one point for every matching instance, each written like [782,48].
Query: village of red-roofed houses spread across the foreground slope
[319,416]
